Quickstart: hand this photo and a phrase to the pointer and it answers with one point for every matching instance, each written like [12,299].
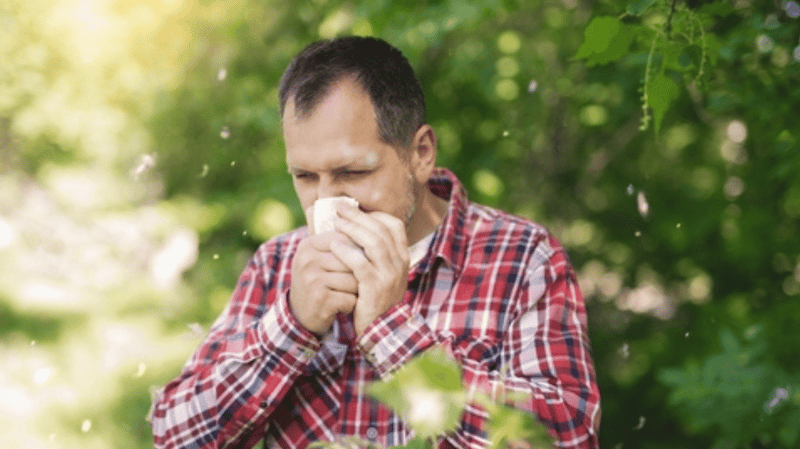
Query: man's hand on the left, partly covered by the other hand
[322,285]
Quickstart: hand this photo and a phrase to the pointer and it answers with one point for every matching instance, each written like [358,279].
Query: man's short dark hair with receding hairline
[381,69]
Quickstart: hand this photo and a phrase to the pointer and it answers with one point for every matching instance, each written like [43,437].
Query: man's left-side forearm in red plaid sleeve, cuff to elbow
[232,385]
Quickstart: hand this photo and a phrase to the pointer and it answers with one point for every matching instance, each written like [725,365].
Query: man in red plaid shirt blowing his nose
[316,317]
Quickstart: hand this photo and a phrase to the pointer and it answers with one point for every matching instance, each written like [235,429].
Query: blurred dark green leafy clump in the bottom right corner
[729,388]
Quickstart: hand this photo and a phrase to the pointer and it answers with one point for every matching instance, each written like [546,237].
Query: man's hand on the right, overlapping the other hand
[380,265]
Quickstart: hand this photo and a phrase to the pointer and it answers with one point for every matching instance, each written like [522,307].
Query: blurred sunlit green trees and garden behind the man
[141,164]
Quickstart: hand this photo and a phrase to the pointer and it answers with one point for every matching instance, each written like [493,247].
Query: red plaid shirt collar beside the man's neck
[450,240]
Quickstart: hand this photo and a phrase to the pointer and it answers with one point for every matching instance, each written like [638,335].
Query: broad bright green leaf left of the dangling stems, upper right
[606,39]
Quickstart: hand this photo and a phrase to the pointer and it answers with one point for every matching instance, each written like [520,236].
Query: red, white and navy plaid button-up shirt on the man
[496,290]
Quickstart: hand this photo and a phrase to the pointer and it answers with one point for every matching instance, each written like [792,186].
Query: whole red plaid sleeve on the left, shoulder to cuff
[252,356]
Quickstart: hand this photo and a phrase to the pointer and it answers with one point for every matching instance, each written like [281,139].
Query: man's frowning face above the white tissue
[336,151]
